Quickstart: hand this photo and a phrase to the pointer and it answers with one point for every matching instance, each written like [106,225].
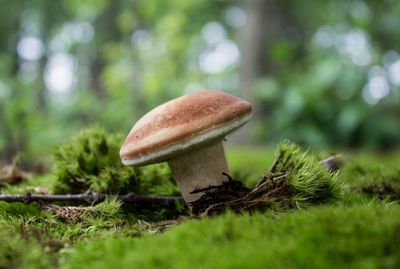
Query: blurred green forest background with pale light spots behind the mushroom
[325,74]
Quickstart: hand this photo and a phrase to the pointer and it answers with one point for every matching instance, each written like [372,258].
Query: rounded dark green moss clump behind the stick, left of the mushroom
[90,161]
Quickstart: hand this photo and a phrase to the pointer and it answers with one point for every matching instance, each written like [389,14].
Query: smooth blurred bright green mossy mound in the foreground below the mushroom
[323,237]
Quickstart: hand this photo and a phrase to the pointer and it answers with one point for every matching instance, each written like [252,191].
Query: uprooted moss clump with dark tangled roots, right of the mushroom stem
[296,180]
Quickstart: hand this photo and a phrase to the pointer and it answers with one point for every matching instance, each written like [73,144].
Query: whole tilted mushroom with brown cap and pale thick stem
[187,132]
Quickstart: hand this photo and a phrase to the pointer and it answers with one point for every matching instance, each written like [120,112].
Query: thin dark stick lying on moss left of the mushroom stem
[91,198]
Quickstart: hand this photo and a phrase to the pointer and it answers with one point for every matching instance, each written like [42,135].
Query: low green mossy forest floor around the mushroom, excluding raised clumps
[360,230]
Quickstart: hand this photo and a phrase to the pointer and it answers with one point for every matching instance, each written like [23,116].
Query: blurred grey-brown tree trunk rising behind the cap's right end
[263,26]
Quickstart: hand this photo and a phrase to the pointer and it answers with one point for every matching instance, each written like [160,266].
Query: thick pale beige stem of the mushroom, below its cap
[199,169]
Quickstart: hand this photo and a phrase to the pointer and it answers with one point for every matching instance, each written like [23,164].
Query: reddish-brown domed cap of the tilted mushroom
[182,124]
